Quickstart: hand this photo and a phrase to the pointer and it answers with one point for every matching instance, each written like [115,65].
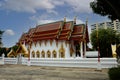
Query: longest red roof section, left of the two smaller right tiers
[47,31]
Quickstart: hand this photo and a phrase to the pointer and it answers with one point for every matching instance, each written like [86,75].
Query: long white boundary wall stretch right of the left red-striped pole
[75,62]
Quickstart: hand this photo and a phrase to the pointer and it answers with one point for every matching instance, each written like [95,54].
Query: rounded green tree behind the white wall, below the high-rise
[105,38]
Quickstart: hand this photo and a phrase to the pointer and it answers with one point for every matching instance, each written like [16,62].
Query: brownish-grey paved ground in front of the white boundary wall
[20,72]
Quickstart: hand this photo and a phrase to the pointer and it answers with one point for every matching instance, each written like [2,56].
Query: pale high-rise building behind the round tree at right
[115,25]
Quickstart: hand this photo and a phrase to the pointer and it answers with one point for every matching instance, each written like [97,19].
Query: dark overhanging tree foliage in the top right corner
[108,8]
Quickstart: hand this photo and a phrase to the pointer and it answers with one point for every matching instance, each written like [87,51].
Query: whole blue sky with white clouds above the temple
[18,16]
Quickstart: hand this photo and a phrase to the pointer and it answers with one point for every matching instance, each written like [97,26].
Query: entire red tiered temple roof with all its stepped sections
[59,30]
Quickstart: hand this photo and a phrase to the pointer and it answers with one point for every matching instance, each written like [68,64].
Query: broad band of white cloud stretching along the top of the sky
[49,5]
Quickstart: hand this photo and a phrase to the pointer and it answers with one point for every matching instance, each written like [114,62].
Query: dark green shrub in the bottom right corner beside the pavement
[114,73]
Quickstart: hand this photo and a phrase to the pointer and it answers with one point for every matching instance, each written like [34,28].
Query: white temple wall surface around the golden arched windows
[48,46]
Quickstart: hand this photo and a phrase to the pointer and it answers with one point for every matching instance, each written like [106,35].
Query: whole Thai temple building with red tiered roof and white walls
[61,39]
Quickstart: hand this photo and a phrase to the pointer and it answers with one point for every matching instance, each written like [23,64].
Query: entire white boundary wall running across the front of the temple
[62,62]
